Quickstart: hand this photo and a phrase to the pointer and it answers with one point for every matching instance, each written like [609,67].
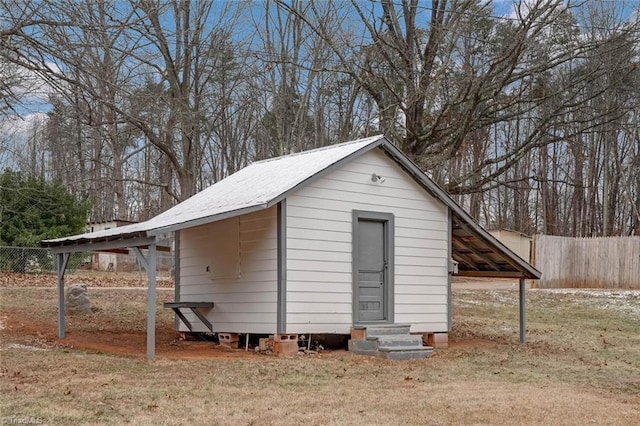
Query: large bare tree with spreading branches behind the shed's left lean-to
[99,52]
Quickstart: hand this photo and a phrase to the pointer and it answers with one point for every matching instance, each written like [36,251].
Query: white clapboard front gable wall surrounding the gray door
[319,283]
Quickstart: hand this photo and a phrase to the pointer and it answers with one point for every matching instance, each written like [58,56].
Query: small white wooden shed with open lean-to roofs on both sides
[326,241]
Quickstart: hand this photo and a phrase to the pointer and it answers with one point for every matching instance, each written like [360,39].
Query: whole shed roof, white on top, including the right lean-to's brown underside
[264,183]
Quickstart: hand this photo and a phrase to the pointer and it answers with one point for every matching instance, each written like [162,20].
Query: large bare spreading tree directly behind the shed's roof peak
[442,72]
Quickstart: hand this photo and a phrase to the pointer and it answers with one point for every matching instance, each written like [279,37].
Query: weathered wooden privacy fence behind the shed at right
[606,262]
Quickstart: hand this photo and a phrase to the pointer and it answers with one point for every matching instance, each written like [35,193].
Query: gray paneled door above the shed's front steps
[371,281]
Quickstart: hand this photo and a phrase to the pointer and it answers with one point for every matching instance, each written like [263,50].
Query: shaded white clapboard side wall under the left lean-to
[246,300]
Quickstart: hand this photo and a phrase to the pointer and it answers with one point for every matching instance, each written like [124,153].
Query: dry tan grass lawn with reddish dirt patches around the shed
[581,365]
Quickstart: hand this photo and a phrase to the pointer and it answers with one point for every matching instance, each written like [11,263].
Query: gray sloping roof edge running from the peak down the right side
[443,196]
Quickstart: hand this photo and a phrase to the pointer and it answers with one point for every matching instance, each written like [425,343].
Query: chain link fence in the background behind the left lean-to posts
[41,260]
